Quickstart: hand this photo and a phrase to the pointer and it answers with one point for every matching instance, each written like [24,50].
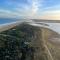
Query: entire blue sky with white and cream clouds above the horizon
[32,9]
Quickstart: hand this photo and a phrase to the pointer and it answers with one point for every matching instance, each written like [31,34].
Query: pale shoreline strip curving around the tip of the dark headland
[7,26]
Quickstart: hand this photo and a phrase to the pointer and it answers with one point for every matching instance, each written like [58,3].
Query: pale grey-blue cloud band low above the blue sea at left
[18,13]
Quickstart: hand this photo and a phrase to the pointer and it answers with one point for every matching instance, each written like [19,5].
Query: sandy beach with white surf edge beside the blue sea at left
[7,26]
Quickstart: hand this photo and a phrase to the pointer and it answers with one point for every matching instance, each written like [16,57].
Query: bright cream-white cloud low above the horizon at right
[51,14]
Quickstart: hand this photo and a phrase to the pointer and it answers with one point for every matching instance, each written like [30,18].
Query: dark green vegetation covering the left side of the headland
[15,43]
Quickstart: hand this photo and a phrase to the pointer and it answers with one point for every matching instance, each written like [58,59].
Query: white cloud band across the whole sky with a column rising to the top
[32,11]
